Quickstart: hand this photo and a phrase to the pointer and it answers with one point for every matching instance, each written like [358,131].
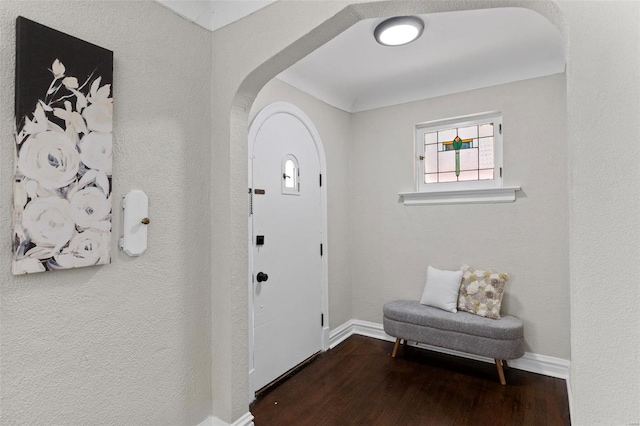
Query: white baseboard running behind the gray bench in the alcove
[534,363]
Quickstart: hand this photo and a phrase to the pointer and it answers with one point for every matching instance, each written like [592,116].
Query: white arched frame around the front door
[254,127]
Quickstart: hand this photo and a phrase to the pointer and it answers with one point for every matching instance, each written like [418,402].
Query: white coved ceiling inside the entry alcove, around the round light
[458,51]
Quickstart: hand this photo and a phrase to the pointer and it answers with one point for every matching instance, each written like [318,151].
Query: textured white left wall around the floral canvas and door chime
[126,343]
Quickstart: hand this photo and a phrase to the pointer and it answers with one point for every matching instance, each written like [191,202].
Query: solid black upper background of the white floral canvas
[37,46]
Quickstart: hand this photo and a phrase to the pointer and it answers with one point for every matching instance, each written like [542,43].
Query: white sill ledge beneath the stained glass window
[469,196]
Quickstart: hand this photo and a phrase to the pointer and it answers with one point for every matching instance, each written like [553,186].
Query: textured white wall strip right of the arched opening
[603,129]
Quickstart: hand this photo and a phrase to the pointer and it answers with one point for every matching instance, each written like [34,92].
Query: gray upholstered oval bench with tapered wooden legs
[500,339]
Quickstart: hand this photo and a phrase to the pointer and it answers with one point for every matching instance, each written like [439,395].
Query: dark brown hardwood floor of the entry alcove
[358,383]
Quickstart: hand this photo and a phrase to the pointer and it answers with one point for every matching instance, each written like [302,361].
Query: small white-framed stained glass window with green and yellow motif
[460,150]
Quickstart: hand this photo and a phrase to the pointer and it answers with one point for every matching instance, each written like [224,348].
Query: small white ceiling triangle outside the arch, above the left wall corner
[214,14]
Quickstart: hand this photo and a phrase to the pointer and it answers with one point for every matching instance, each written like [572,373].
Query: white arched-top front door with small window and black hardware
[286,234]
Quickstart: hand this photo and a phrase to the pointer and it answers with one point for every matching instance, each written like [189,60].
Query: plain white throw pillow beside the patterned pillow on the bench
[441,289]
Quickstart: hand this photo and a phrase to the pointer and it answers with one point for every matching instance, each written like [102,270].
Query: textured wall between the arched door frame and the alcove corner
[334,127]
